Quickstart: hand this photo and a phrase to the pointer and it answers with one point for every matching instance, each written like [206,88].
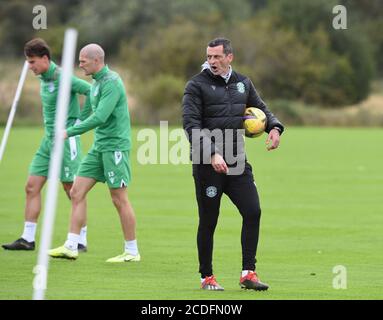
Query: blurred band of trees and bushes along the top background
[288,47]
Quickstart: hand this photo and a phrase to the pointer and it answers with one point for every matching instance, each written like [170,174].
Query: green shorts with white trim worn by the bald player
[110,166]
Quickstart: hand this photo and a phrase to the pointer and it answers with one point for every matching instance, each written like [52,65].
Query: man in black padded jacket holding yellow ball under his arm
[215,101]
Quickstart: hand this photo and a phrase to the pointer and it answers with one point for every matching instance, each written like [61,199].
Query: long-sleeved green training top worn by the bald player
[110,113]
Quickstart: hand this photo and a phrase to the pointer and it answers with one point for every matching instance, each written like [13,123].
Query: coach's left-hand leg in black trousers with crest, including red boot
[208,186]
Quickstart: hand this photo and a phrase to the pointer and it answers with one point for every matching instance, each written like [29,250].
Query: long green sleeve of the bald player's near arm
[108,101]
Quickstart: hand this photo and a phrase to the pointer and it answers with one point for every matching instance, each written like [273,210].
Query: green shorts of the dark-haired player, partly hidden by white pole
[71,160]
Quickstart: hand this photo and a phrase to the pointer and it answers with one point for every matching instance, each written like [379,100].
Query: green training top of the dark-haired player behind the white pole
[49,87]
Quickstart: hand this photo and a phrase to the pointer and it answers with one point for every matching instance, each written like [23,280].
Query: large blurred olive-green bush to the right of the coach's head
[318,68]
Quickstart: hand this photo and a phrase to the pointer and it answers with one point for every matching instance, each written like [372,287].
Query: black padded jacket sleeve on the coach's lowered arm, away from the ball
[202,147]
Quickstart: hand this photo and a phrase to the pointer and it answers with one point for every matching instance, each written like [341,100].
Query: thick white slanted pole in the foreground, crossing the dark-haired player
[41,269]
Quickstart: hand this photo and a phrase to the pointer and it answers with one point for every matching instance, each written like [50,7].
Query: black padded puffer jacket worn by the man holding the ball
[211,103]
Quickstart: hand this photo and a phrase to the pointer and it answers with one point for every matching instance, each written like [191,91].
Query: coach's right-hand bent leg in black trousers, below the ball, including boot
[243,193]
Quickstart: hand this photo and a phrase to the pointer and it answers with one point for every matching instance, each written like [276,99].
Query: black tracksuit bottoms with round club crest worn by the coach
[242,191]
